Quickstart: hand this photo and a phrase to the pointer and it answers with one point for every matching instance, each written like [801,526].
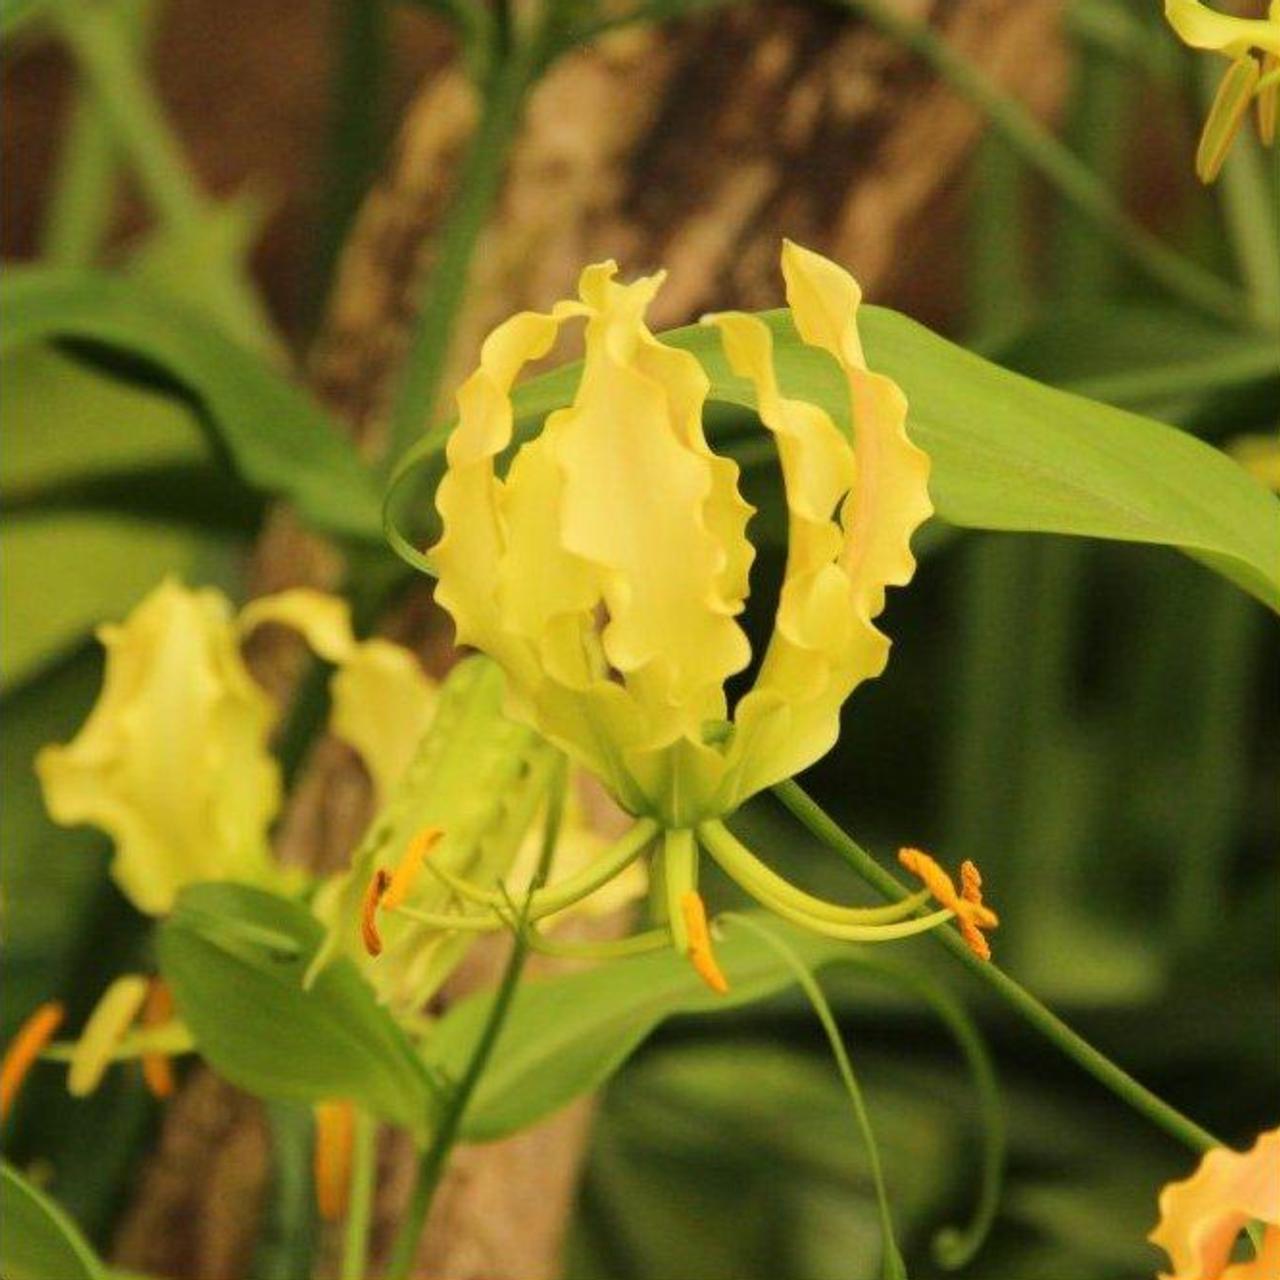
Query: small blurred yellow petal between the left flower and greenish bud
[383,703]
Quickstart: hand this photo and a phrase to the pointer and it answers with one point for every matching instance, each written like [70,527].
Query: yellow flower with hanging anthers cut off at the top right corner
[1249,80]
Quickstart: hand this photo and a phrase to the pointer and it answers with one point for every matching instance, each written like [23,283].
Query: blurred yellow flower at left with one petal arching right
[173,762]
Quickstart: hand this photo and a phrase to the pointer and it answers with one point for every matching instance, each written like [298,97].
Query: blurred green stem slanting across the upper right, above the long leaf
[1055,162]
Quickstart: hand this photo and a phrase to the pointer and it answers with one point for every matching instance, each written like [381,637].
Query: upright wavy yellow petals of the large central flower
[606,572]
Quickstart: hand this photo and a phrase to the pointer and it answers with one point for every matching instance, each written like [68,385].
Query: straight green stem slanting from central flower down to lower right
[1049,1025]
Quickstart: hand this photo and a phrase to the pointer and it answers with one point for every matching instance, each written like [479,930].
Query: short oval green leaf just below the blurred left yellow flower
[236,958]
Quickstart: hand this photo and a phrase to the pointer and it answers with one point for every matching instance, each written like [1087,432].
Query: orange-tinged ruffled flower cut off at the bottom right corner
[1203,1217]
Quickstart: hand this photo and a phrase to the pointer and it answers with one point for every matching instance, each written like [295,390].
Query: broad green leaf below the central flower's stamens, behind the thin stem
[565,1036]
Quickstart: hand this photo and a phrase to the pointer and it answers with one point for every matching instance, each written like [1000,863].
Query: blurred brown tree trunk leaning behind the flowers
[696,148]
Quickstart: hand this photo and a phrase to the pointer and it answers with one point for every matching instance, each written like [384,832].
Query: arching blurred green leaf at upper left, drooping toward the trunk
[276,437]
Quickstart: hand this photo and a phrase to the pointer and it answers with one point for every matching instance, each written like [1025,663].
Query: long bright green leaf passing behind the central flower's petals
[1008,454]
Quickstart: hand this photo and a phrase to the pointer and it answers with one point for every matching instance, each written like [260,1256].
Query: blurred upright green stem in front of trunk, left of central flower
[479,184]
